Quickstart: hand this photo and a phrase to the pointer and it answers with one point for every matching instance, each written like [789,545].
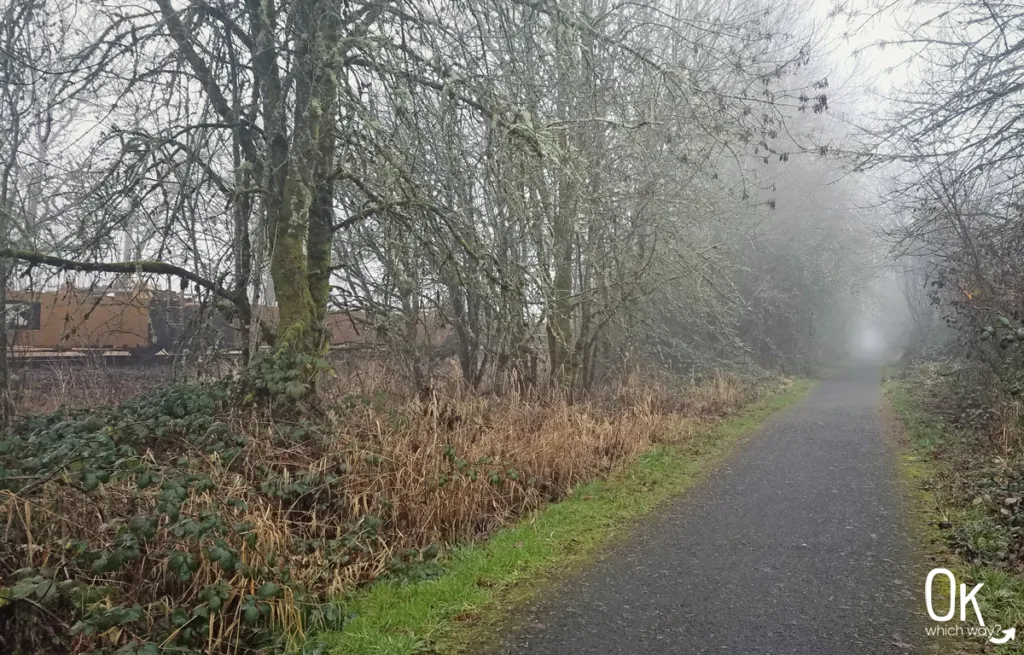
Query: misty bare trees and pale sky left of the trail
[551,193]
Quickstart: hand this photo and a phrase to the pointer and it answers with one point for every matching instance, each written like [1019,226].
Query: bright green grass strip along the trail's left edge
[465,602]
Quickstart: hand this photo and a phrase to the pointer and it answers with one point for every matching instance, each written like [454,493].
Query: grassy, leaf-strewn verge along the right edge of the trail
[966,529]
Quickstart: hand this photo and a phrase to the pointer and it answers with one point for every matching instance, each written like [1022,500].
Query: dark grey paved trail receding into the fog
[797,546]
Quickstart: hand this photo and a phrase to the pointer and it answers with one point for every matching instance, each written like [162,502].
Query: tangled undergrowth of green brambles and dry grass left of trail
[220,517]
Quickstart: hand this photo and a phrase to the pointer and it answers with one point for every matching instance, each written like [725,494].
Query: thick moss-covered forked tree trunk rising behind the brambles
[300,185]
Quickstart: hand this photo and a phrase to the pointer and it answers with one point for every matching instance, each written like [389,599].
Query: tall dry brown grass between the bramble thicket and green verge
[410,459]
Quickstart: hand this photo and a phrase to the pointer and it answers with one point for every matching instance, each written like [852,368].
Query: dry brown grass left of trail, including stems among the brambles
[385,483]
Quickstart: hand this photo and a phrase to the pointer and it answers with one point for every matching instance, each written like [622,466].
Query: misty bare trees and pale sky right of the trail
[947,137]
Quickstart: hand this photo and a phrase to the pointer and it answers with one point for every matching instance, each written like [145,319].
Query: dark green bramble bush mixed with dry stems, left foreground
[161,523]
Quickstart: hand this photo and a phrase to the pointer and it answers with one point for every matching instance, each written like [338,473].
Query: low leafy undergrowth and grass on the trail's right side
[974,478]
